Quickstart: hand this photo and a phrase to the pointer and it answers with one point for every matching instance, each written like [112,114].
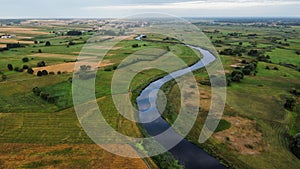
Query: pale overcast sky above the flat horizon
[121,8]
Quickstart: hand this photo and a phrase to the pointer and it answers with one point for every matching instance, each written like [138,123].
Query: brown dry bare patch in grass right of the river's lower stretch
[242,137]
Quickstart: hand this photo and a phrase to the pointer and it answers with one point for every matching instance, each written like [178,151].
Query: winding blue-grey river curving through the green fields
[192,156]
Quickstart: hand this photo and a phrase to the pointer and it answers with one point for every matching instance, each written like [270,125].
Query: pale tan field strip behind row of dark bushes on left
[69,67]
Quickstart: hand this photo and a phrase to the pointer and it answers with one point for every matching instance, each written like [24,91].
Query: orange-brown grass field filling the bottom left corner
[64,156]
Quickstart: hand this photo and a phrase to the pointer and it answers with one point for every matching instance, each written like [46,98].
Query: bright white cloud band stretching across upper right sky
[204,4]
